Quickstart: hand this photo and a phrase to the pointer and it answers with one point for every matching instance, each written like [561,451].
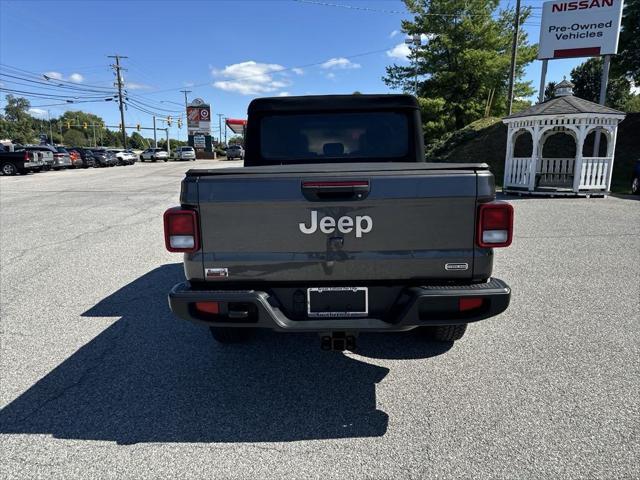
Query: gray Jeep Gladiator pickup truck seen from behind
[337,225]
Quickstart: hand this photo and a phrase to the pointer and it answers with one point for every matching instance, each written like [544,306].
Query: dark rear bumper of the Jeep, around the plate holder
[420,306]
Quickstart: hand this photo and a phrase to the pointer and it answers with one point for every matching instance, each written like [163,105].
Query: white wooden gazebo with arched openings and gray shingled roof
[582,174]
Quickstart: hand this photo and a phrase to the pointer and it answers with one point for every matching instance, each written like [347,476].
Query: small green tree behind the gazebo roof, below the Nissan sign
[587,79]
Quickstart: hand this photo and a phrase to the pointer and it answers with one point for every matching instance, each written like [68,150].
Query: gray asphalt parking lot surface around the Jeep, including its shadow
[98,380]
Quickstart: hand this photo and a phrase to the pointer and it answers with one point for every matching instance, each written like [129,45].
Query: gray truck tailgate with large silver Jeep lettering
[304,225]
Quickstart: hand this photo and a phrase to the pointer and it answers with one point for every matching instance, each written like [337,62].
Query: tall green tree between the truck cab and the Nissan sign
[464,65]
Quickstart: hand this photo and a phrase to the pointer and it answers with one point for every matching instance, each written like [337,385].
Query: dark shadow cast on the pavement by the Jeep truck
[152,378]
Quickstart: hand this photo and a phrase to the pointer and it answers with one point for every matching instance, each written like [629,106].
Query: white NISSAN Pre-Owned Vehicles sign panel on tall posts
[583,28]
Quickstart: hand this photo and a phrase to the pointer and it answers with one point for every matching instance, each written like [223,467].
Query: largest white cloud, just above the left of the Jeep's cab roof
[250,78]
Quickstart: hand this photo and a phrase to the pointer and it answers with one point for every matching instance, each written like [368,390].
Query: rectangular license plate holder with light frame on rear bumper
[337,302]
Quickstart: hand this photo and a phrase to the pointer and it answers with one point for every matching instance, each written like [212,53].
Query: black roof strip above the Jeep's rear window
[317,103]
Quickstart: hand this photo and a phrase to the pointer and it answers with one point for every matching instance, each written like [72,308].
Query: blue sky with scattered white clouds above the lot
[226,52]
